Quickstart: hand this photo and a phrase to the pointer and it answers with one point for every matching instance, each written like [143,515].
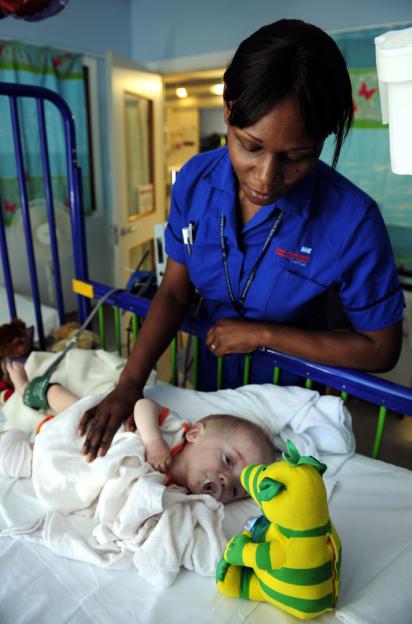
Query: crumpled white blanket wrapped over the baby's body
[116,512]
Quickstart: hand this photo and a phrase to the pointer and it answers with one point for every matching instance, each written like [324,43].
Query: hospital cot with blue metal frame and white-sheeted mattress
[370,501]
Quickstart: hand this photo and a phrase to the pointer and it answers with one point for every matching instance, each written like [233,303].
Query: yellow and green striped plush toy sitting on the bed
[291,555]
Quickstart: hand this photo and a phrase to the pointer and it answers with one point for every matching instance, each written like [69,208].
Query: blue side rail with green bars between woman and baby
[384,394]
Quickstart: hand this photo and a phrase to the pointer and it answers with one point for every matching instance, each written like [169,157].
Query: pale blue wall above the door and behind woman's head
[164,29]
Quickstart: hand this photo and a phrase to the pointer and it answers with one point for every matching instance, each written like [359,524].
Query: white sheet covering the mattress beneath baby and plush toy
[371,506]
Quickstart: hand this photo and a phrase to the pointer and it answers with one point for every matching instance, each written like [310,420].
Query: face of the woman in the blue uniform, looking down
[271,156]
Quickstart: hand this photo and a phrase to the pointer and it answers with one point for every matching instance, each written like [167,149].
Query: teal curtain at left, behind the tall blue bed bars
[61,72]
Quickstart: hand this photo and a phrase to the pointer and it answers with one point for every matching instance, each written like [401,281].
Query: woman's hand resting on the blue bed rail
[234,336]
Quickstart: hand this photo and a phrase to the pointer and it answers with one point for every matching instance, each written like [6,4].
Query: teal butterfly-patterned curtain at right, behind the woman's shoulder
[365,156]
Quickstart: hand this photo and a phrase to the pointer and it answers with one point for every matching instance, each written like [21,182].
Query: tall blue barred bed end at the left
[41,95]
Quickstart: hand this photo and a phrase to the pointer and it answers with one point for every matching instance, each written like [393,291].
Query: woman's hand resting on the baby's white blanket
[103,420]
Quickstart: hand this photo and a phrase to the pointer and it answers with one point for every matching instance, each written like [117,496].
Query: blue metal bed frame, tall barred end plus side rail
[384,394]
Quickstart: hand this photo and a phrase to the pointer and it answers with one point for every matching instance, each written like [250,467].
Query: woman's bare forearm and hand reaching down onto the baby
[166,313]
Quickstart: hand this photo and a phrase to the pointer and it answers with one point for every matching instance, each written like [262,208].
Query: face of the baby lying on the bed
[222,455]
